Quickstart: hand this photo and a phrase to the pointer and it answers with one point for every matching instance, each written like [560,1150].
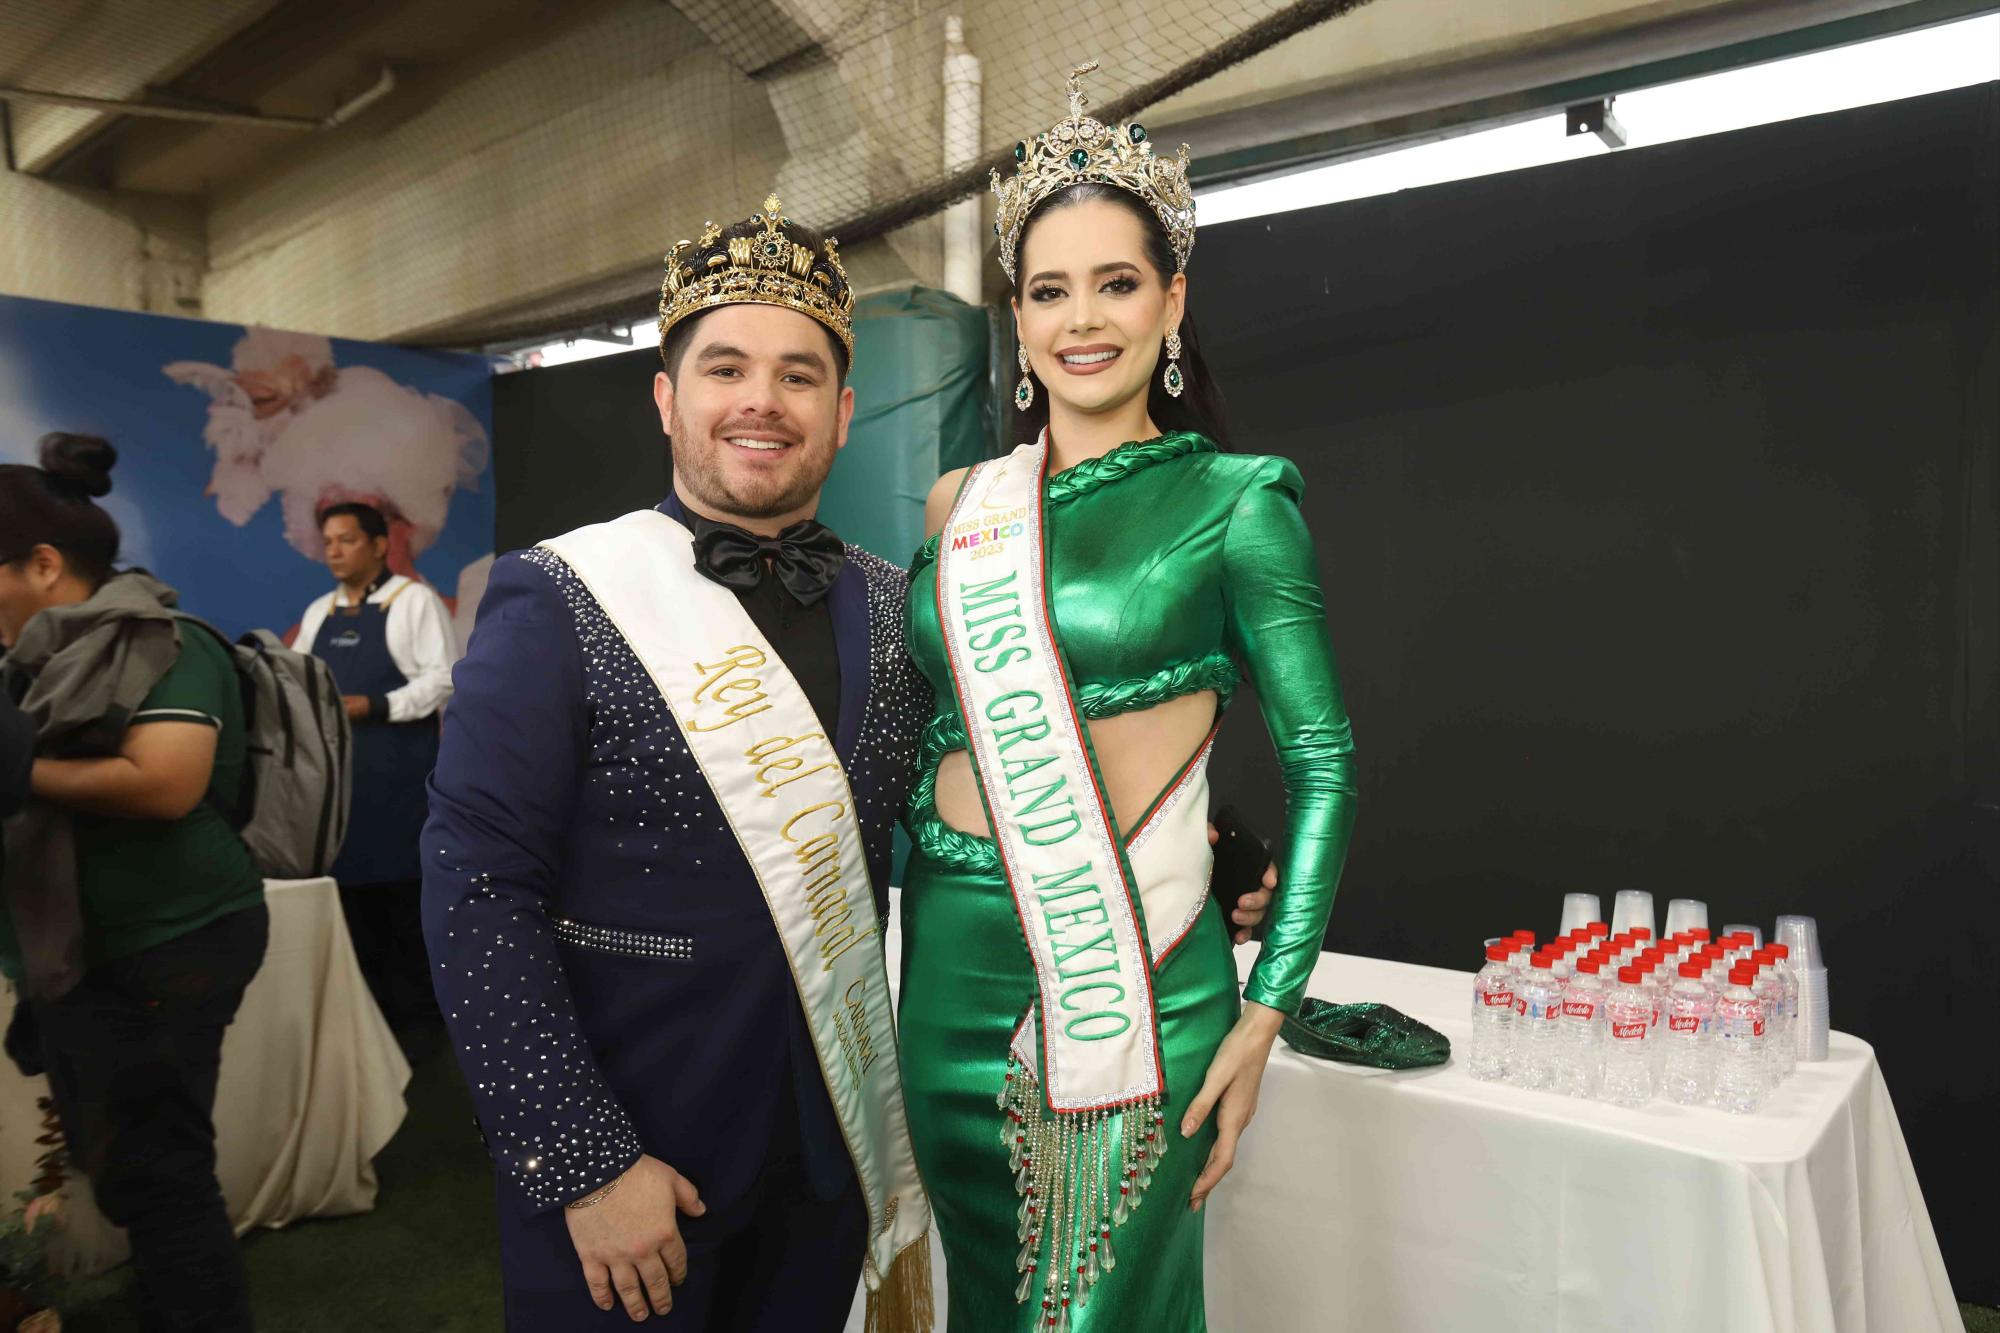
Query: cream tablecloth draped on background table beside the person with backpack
[311,1090]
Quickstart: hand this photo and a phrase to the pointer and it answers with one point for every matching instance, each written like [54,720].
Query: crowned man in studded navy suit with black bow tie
[661,824]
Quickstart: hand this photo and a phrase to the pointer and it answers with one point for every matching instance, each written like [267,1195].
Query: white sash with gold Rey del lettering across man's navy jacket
[787,798]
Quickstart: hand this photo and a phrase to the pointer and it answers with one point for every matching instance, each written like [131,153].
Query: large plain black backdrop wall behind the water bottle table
[1657,507]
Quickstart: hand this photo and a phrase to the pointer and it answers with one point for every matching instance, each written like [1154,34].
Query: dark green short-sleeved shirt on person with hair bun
[147,882]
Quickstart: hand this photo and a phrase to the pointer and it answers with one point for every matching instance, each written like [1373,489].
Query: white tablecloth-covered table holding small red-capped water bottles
[1427,1202]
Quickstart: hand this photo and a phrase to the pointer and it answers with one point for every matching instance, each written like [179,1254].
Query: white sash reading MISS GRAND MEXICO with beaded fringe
[1089,1048]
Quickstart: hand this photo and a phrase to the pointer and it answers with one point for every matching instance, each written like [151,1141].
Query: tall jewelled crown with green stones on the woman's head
[1083,149]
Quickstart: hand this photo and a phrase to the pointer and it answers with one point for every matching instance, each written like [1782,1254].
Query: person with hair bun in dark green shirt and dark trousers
[135,914]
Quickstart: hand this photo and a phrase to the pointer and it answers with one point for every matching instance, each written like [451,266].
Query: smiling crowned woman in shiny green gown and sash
[1069,818]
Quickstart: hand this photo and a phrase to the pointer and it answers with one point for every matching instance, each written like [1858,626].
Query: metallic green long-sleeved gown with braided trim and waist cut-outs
[1171,565]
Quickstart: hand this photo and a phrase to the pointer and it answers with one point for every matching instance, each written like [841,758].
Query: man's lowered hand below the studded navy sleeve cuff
[631,1242]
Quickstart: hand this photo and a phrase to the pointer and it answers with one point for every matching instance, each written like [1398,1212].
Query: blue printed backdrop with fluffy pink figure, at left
[231,439]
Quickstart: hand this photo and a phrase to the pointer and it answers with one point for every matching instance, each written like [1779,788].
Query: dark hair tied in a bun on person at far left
[53,505]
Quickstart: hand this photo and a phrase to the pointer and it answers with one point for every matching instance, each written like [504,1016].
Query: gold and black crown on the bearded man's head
[759,263]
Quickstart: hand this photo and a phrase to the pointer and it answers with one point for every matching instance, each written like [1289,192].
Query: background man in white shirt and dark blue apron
[389,643]
